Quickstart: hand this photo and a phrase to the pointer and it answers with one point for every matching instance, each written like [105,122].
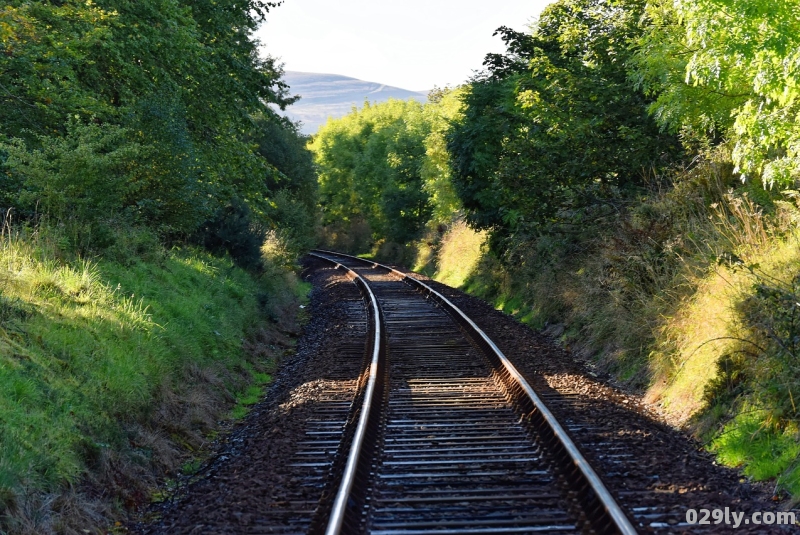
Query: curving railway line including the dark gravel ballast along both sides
[397,416]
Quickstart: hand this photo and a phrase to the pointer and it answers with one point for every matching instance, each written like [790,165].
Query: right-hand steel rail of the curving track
[614,512]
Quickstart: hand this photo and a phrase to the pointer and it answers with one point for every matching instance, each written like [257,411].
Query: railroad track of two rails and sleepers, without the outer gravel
[445,436]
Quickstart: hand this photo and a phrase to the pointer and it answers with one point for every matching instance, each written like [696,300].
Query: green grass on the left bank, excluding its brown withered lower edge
[89,348]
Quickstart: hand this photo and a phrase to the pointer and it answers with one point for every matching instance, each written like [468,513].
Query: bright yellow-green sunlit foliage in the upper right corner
[732,66]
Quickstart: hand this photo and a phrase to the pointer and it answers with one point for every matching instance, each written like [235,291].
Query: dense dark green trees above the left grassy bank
[169,99]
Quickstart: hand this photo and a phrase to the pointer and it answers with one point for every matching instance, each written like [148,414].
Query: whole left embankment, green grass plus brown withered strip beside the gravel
[113,371]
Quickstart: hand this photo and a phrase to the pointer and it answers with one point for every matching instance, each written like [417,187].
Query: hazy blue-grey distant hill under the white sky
[333,95]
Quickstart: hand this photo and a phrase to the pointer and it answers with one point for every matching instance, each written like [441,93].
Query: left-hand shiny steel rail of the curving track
[339,508]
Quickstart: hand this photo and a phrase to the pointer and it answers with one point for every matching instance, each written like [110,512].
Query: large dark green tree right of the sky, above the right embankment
[554,129]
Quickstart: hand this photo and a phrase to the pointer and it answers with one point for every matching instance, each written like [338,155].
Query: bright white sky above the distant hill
[412,44]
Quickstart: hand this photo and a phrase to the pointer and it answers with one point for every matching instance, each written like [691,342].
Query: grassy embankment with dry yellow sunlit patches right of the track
[690,295]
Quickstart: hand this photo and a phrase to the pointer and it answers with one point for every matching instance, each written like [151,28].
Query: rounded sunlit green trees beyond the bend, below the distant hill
[370,165]
